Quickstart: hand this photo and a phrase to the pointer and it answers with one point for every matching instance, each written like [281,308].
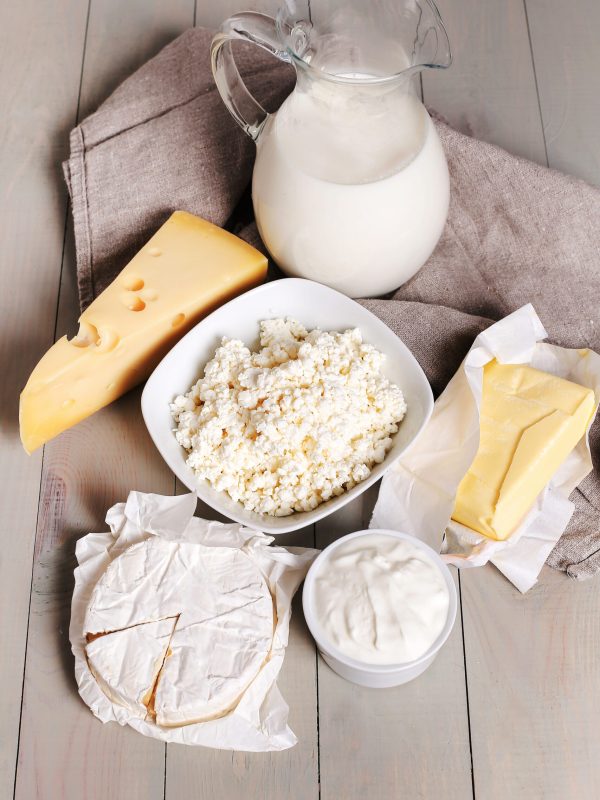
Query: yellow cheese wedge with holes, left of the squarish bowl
[187,269]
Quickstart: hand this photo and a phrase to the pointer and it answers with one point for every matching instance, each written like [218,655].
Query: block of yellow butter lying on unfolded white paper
[530,421]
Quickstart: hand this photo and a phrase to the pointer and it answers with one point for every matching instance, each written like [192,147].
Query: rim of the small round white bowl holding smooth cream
[321,638]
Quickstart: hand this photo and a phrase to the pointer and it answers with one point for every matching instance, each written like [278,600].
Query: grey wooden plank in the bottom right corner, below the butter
[533,666]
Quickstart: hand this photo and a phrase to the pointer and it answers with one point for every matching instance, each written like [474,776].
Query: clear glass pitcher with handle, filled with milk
[350,185]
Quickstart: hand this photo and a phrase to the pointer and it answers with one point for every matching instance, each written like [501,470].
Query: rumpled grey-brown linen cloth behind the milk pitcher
[516,232]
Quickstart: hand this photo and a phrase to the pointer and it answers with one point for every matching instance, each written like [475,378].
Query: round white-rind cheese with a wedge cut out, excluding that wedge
[224,630]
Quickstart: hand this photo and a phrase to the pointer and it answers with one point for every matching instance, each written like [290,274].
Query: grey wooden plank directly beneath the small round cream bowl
[409,741]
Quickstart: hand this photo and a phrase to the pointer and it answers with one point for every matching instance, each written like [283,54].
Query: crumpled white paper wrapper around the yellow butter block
[417,494]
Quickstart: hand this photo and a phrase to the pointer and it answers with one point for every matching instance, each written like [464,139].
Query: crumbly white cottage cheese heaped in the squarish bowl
[293,424]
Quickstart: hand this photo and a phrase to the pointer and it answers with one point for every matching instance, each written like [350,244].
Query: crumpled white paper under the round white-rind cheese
[259,721]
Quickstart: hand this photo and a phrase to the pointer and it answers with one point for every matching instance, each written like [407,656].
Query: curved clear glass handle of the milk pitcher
[248,26]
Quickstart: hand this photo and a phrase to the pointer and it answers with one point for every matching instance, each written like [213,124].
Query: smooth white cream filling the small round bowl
[380,599]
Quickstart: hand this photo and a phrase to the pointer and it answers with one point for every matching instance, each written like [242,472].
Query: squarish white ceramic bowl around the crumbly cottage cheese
[315,306]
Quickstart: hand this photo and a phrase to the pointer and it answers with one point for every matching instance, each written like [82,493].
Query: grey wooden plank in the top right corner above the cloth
[564,38]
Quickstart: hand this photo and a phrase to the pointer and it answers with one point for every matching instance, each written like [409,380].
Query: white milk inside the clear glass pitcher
[350,186]
